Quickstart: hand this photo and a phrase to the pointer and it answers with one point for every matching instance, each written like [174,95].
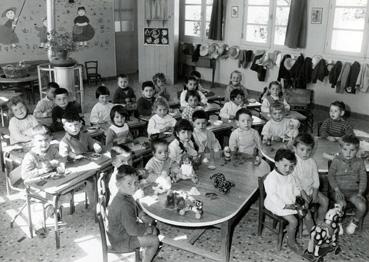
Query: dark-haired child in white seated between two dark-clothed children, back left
[100,113]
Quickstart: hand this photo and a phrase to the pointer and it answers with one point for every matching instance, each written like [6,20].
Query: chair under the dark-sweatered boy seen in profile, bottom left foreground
[103,219]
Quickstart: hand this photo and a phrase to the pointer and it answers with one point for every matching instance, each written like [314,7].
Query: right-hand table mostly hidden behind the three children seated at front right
[323,151]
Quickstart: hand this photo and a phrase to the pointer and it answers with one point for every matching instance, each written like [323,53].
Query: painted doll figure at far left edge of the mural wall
[7,34]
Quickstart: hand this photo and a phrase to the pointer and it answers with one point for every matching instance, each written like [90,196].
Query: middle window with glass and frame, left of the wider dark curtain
[266,22]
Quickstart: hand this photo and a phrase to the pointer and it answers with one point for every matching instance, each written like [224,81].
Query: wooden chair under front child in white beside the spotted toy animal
[263,212]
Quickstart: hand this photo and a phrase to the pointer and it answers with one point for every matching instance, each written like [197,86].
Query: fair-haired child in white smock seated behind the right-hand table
[278,126]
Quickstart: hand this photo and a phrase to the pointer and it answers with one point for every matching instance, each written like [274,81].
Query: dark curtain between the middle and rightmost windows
[297,25]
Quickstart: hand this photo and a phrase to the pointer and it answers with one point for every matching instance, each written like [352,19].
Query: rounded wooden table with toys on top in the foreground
[221,212]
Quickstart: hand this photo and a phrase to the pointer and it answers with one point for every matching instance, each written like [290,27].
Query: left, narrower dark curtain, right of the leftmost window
[216,28]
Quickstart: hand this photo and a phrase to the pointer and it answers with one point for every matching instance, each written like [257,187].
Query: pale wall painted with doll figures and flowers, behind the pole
[23,33]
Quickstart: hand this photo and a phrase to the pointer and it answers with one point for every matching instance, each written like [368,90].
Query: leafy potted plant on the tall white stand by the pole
[60,45]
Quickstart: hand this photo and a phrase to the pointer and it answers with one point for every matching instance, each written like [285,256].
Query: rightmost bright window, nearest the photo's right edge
[348,22]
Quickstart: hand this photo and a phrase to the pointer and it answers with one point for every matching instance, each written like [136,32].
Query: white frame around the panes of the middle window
[271,26]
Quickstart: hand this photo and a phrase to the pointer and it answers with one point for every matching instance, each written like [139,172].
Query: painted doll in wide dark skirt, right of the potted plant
[82,30]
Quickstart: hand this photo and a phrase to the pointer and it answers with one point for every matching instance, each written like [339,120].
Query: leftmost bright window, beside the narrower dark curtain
[197,14]
